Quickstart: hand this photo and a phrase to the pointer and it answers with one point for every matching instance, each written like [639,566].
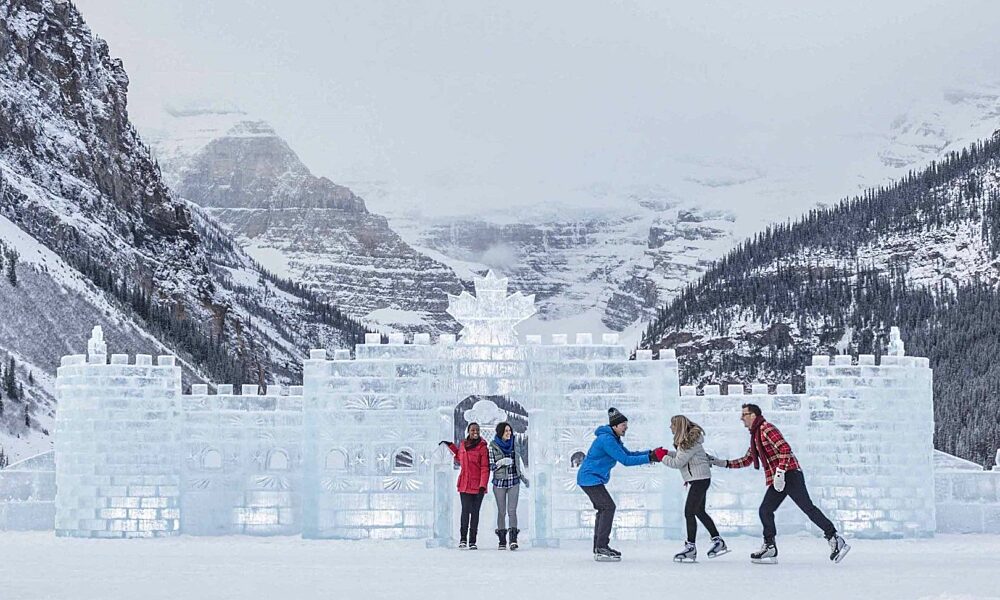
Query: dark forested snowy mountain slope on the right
[923,254]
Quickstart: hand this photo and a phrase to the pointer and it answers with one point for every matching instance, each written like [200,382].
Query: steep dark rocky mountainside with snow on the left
[93,236]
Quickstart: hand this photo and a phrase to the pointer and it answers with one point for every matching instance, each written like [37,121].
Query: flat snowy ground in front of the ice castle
[39,565]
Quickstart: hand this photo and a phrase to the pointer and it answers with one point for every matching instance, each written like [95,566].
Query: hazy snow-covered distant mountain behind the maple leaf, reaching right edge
[604,257]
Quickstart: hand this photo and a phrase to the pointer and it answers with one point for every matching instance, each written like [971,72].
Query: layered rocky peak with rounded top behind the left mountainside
[298,225]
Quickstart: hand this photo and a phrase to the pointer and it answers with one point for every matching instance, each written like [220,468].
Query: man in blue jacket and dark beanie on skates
[595,471]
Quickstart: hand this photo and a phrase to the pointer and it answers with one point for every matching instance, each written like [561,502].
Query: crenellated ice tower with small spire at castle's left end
[116,445]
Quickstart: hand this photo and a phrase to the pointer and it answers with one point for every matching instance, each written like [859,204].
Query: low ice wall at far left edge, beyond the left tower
[27,494]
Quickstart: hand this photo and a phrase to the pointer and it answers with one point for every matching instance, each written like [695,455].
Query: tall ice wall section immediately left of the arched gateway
[371,427]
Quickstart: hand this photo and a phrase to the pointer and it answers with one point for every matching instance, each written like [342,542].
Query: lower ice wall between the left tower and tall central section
[241,461]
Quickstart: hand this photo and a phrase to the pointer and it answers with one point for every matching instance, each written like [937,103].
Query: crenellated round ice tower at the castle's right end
[868,451]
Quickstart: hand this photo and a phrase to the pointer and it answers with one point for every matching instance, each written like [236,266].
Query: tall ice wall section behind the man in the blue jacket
[573,385]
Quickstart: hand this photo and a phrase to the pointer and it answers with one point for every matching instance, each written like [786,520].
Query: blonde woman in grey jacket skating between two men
[690,458]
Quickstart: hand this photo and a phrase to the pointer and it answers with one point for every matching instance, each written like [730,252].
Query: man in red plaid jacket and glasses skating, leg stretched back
[783,476]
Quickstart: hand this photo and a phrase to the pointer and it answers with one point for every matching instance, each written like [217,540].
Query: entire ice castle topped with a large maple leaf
[353,452]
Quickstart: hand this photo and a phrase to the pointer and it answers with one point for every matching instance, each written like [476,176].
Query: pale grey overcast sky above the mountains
[560,92]
